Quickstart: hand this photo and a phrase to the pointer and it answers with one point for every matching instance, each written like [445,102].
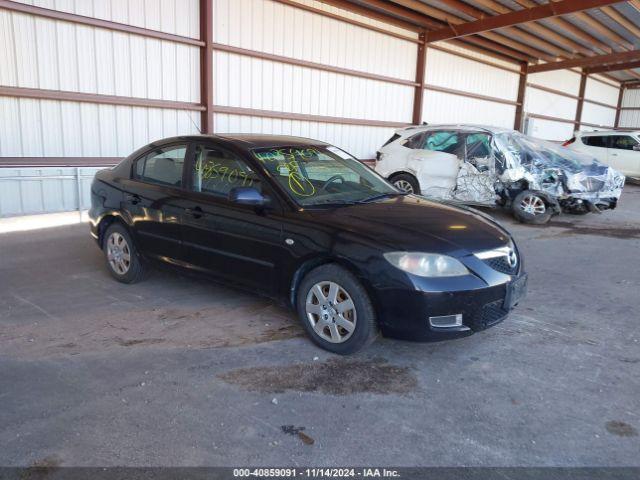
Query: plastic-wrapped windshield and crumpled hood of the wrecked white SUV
[530,152]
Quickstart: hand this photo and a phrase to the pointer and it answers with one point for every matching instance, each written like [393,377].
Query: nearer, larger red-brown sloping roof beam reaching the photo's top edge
[517,17]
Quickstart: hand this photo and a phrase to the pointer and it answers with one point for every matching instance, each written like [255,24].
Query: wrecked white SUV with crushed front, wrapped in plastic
[492,166]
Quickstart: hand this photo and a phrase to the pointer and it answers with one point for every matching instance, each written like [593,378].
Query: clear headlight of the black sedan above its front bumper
[426,264]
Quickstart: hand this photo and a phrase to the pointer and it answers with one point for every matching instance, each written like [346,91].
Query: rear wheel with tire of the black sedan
[123,260]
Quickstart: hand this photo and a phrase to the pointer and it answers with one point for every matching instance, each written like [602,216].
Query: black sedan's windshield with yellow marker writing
[323,175]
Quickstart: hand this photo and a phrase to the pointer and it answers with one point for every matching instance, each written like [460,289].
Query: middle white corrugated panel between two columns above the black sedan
[264,85]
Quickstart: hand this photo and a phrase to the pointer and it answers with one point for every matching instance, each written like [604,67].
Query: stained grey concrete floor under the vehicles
[179,371]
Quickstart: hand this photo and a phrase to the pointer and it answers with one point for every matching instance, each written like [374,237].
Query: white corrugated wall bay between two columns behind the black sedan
[270,27]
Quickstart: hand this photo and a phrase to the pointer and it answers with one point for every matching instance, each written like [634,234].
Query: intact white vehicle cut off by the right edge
[619,150]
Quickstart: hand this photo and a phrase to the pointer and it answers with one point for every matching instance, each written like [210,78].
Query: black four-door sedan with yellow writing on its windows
[305,223]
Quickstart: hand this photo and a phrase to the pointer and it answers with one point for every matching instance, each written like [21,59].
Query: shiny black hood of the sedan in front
[411,223]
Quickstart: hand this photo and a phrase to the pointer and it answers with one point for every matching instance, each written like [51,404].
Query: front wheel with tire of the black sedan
[335,310]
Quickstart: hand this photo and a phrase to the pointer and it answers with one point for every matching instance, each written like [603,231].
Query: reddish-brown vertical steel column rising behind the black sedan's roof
[206,65]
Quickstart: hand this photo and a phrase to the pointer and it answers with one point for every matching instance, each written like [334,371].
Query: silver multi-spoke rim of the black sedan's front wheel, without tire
[331,312]
